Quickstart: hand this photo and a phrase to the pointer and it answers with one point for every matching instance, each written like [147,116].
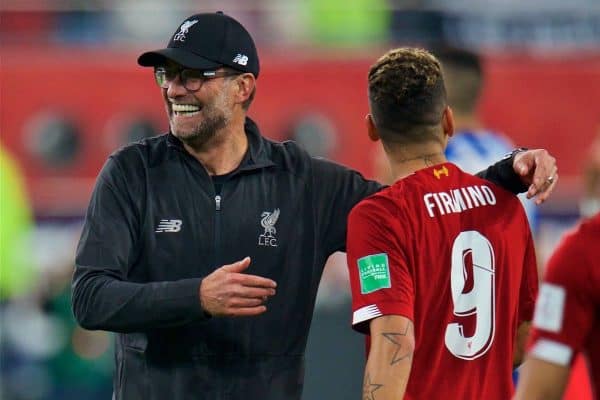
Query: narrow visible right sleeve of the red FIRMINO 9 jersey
[529,282]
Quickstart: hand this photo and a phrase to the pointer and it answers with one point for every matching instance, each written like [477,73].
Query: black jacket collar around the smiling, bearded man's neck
[255,158]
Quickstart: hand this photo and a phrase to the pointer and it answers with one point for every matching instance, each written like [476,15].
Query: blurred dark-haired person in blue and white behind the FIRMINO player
[473,146]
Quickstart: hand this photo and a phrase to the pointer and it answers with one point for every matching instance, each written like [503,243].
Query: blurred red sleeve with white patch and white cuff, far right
[565,310]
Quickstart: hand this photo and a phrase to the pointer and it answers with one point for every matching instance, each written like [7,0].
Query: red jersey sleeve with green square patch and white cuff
[380,277]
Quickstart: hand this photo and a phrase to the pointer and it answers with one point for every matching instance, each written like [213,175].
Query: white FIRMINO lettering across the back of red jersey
[458,200]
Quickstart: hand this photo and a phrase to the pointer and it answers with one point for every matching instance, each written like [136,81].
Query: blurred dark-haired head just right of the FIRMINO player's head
[464,76]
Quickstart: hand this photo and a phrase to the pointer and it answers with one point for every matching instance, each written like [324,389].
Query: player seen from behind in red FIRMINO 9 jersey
[421,264]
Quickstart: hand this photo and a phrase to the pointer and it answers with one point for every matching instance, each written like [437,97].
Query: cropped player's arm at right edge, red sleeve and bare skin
[563,321]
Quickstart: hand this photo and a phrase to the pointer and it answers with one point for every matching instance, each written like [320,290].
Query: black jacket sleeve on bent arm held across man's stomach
[102,297]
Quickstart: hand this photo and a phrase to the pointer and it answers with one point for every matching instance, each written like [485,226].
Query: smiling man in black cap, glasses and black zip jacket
[189,229]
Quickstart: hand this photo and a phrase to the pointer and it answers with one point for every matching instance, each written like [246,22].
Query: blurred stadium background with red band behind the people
[71,93]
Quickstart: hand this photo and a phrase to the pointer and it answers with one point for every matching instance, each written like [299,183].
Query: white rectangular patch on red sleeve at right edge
[549,308]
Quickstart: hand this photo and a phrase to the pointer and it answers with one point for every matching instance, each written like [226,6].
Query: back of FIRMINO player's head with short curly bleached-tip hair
[407,96]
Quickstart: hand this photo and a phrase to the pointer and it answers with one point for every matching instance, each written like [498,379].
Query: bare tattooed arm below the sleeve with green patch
[390,358]
